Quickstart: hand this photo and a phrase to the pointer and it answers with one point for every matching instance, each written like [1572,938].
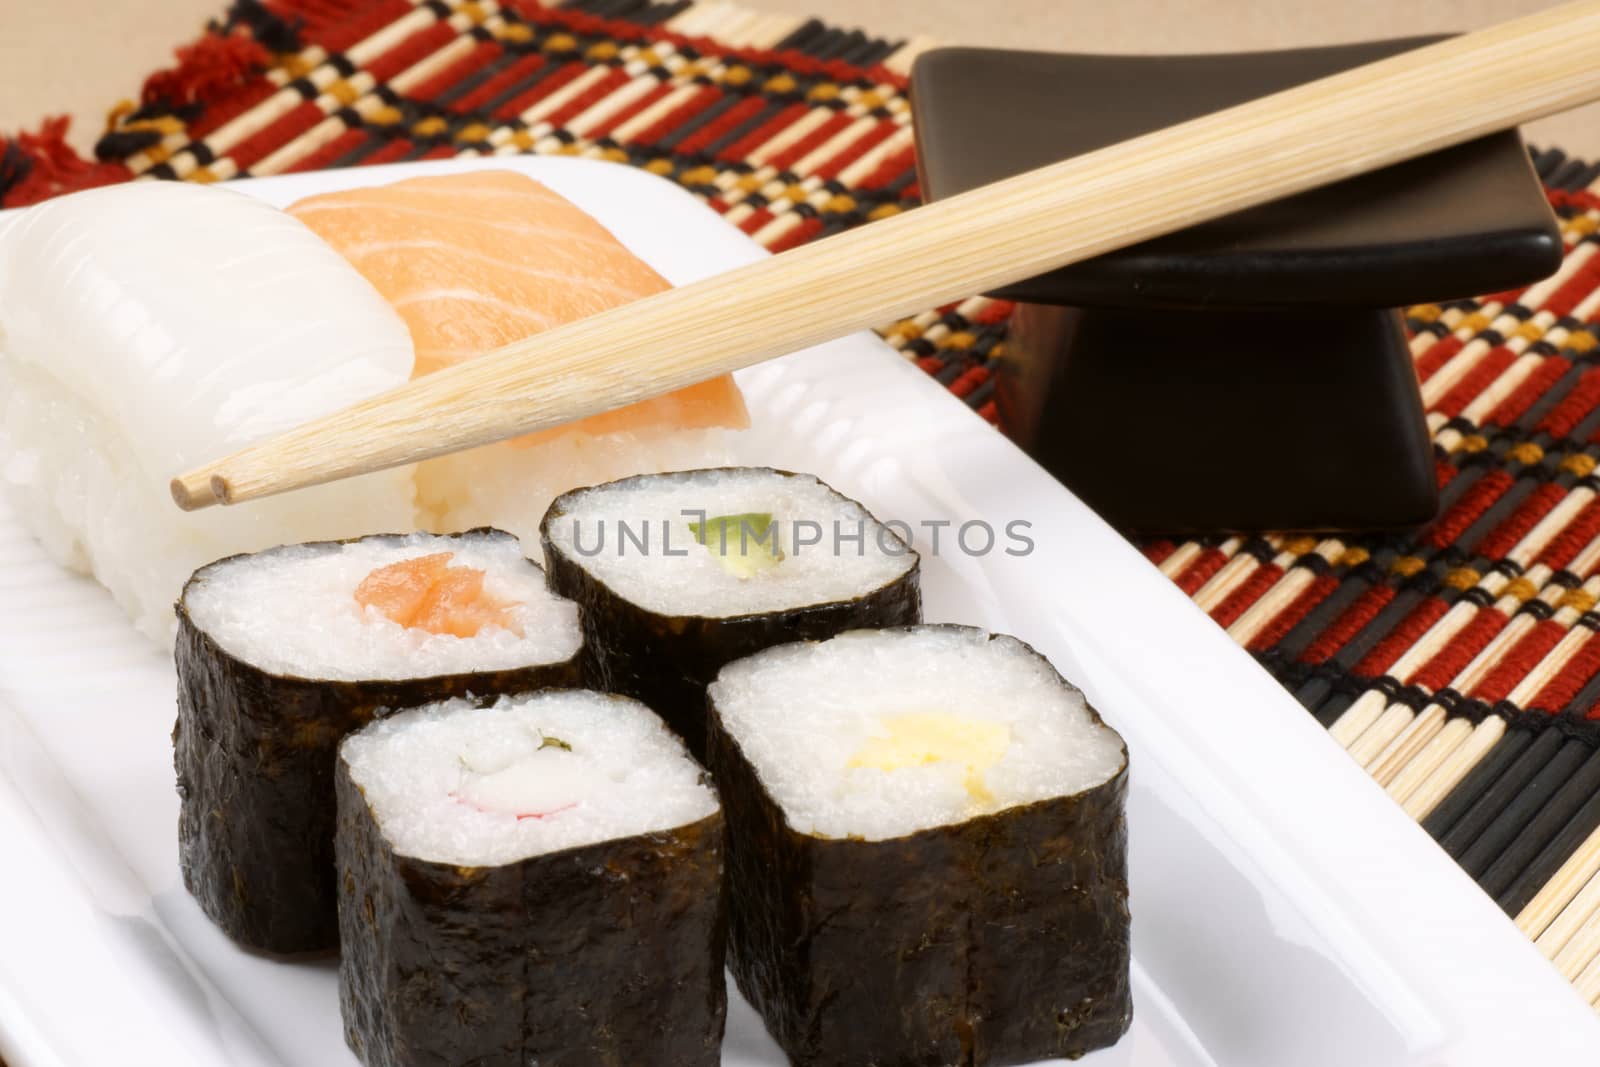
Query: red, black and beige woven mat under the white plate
[1462,666]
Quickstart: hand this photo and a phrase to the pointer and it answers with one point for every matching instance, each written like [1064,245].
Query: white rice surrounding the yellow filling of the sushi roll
[802,714]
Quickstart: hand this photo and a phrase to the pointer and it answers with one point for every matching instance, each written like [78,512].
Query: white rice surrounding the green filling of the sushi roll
[679,577]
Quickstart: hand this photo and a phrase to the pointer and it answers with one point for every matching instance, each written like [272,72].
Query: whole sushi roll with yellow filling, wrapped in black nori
[927,850]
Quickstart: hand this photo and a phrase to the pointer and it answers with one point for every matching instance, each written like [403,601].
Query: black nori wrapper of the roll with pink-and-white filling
[601,956]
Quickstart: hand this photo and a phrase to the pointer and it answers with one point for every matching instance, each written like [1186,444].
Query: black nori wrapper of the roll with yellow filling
[1002,940]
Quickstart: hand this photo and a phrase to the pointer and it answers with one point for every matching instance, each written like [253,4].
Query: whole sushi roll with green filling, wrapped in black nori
[682,573]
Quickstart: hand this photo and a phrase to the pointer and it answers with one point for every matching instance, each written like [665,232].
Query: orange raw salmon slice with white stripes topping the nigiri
[481,260]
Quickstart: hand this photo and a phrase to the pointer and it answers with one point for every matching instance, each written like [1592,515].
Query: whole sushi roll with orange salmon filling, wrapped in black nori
[286,652]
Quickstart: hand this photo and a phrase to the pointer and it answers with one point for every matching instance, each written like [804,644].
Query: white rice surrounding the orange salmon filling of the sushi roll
[294,612]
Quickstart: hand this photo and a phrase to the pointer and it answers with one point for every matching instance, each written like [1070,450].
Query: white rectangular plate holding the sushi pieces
[1286,911]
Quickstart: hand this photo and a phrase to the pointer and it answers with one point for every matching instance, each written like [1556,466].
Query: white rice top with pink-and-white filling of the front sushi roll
[447,783]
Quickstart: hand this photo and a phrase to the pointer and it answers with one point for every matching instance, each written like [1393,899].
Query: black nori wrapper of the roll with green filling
[668,661]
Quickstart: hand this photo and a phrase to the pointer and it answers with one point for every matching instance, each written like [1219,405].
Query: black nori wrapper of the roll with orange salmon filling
[255,756]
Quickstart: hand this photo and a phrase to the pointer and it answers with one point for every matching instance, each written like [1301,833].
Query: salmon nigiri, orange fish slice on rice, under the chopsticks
[479,260]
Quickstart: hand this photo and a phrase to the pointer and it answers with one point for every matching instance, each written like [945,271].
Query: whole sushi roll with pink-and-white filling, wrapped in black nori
[537,882]
